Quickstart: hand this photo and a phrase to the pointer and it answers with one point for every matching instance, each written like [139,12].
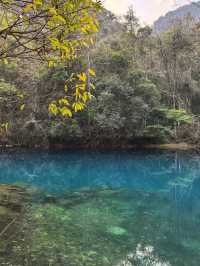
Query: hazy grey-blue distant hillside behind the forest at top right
[164,22]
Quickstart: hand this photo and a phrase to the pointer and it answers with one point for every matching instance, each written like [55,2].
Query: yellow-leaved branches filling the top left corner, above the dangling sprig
[38,27]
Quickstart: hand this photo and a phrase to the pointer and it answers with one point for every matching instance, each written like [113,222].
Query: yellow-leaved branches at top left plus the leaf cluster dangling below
[53,31]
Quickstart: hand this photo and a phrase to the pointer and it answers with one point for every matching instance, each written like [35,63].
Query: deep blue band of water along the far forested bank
[58,171]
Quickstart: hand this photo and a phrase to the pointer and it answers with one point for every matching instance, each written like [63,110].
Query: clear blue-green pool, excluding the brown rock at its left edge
[106,208]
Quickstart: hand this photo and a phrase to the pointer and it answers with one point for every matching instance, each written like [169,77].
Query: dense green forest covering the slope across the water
[146,90]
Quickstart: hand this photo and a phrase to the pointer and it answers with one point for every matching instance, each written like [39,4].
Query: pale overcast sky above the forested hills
[147,10]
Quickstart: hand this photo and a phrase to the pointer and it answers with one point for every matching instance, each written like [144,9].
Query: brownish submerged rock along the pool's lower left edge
[12,209]
